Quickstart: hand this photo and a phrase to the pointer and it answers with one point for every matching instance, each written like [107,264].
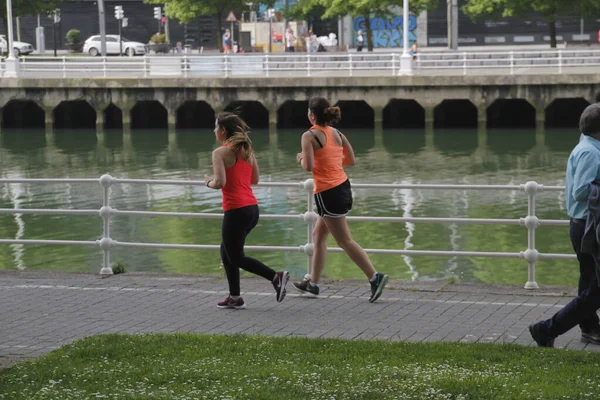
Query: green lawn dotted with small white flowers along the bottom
[250,367]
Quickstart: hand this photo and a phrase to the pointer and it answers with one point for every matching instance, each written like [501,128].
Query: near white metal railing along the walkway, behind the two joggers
[106,212]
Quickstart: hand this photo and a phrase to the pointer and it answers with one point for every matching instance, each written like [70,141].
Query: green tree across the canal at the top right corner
[551,10]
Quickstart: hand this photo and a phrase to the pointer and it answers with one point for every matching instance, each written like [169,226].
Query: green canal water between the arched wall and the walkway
[444,156]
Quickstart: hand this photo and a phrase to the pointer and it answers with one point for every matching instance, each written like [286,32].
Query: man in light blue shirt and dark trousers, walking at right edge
[583,168]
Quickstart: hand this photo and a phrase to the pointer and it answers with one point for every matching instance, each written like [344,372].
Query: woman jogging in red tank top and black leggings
[235,170]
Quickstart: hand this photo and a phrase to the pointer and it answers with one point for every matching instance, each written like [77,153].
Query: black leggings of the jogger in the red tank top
[237,224]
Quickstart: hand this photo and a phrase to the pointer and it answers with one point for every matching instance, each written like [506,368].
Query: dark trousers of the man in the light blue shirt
[583,309]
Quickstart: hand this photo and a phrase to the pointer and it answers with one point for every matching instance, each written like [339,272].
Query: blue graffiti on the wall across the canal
[388,32]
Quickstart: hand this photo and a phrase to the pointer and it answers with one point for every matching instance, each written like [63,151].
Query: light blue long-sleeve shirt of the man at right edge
[583,168]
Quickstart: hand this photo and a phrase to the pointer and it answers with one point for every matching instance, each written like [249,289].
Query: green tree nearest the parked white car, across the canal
[188,10]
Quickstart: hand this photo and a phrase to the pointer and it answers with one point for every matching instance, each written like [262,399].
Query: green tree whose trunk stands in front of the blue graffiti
[360,8]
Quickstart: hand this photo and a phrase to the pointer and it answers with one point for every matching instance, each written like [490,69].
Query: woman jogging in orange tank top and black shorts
[325,152]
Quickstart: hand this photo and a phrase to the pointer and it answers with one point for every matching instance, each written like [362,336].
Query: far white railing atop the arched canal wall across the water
[311,64]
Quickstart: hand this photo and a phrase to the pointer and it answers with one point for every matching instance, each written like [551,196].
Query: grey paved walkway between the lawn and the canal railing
[41,311]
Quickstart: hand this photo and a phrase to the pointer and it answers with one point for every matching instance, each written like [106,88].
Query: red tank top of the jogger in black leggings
[237,192]
